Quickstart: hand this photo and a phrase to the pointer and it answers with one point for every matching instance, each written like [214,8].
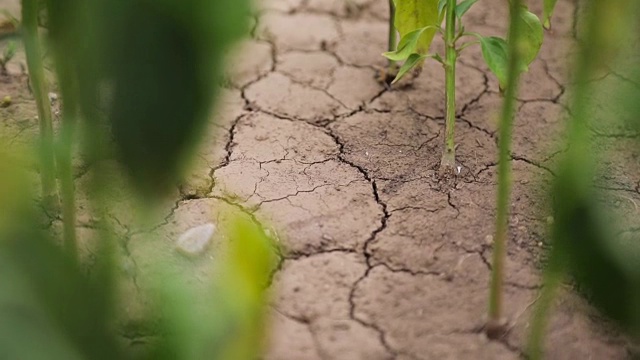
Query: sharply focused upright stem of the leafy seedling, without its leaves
[448,162]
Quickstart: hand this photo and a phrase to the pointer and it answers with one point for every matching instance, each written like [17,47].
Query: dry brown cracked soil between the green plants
[380,261]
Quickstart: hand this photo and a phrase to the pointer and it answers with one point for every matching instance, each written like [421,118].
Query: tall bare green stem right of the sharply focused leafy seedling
[494,326]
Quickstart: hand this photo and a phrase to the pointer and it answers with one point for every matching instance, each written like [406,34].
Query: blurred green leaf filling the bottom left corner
[48,308]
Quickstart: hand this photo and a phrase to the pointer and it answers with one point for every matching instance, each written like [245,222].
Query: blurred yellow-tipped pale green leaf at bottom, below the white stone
[227,322]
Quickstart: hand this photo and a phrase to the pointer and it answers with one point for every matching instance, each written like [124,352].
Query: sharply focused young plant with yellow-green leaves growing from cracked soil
[418,21]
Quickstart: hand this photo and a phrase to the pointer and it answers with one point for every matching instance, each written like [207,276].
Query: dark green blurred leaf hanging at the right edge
[604,268]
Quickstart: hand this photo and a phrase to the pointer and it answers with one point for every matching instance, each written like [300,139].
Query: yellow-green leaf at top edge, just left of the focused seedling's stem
[417,14]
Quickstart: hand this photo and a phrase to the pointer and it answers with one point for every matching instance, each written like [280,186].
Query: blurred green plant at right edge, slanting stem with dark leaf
[585,247]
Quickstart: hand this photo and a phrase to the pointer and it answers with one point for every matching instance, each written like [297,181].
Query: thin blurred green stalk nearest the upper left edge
[40,93]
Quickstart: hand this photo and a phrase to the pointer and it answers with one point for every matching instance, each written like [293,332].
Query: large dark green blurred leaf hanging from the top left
[165,79]
